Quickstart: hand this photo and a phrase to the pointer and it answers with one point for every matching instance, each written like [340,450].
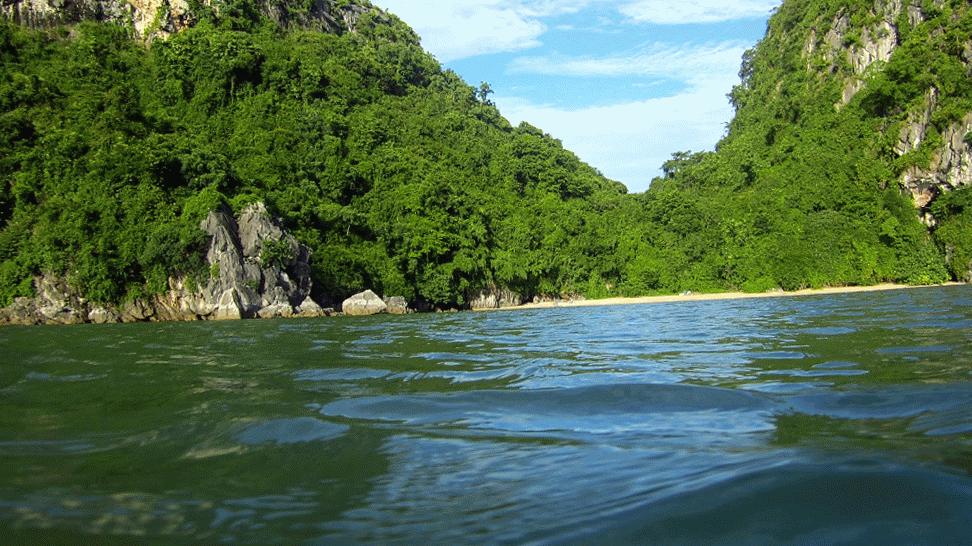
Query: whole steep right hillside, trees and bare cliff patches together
[852,128]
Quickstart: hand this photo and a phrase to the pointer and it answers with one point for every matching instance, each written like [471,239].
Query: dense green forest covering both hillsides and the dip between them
[402,178]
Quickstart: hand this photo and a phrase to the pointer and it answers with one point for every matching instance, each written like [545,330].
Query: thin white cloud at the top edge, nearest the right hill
[665,12]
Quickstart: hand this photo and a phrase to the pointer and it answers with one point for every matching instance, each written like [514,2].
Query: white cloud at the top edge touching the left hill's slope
[453,30]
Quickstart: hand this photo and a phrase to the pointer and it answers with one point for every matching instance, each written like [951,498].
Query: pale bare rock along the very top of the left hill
[152,19]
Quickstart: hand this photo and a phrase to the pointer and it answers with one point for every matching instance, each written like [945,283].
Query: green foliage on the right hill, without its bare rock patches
[802,193]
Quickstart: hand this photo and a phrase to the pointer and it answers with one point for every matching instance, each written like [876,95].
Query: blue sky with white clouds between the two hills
[622,83]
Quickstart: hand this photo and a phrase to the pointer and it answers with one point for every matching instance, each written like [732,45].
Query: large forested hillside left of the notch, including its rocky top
[396,175]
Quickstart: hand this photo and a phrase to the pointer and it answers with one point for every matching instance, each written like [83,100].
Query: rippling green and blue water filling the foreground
[832,419]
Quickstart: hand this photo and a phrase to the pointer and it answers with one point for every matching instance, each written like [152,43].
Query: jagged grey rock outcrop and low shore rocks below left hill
[256,270]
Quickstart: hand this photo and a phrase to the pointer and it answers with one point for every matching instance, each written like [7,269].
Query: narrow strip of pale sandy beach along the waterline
[716,296]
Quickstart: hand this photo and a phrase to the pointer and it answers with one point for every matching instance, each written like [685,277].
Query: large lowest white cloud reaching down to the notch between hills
[629,141]
